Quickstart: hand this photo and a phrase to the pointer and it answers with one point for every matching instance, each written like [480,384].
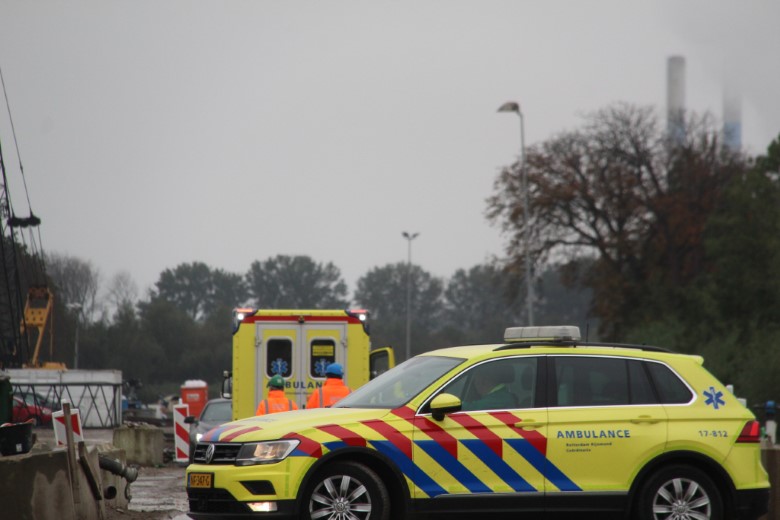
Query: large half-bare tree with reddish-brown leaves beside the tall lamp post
[620,191]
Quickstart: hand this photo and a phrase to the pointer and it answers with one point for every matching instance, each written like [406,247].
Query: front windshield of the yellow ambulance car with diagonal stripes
[398,385]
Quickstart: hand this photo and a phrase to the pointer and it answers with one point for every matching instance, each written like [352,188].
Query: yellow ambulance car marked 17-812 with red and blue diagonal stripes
[542,424]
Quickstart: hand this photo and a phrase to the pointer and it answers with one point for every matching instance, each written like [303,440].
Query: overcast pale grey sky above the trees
[154,133]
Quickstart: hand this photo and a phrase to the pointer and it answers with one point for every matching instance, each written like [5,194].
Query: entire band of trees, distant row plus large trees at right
[635,236]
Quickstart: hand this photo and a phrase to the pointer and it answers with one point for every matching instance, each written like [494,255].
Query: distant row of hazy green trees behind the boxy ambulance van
[181,329]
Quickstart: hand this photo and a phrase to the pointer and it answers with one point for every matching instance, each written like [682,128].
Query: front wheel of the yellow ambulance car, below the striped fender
[346,490]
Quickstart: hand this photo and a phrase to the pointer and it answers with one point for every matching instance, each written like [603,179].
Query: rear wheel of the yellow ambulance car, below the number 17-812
[679,492]
